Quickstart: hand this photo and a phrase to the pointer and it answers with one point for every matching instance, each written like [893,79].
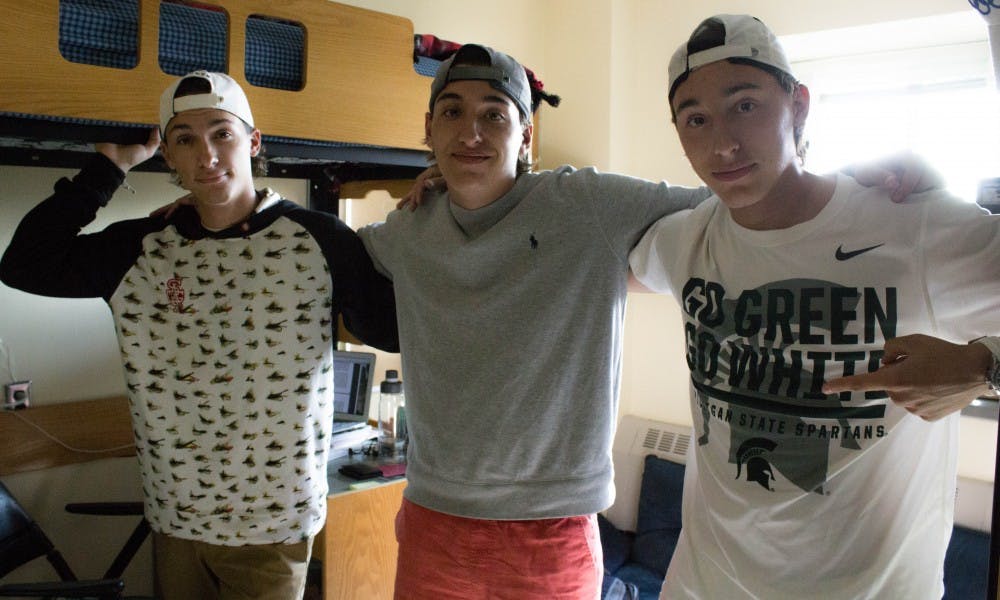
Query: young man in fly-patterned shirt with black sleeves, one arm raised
[224,316]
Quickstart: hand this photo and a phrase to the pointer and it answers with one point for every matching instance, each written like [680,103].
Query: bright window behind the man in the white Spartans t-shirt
[920,84]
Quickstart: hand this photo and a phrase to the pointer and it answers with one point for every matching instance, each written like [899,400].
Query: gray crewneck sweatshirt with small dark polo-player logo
[510,325]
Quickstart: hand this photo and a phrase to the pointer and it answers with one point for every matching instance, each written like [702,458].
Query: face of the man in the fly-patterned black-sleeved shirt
[211,152]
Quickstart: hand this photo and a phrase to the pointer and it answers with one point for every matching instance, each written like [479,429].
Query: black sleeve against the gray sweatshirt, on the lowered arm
[361,294]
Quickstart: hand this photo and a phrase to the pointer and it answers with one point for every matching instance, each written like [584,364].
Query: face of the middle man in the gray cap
[477,136]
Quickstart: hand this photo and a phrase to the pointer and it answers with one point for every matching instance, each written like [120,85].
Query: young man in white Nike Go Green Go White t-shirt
[787,279]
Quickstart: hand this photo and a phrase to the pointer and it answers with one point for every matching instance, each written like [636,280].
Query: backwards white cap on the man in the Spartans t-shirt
[727,36]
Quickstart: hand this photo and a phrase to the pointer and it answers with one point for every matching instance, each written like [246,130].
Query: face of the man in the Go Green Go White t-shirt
[736,124]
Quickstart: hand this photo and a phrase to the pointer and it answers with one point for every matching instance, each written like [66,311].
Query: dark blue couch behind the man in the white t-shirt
[635,562]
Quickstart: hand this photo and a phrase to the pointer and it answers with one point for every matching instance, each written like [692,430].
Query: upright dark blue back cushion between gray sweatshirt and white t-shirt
[658,524]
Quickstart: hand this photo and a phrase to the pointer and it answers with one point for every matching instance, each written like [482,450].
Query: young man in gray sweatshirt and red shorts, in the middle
[511,292]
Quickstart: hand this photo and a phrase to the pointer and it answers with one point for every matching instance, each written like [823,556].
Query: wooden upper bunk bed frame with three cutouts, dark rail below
[357,115]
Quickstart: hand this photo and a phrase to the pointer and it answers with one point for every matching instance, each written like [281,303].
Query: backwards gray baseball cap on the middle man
[501,71]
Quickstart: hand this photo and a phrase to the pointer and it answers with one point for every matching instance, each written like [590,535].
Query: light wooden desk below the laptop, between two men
[358,543]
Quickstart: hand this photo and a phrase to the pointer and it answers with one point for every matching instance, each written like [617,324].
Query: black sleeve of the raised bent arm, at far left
[47,254]
